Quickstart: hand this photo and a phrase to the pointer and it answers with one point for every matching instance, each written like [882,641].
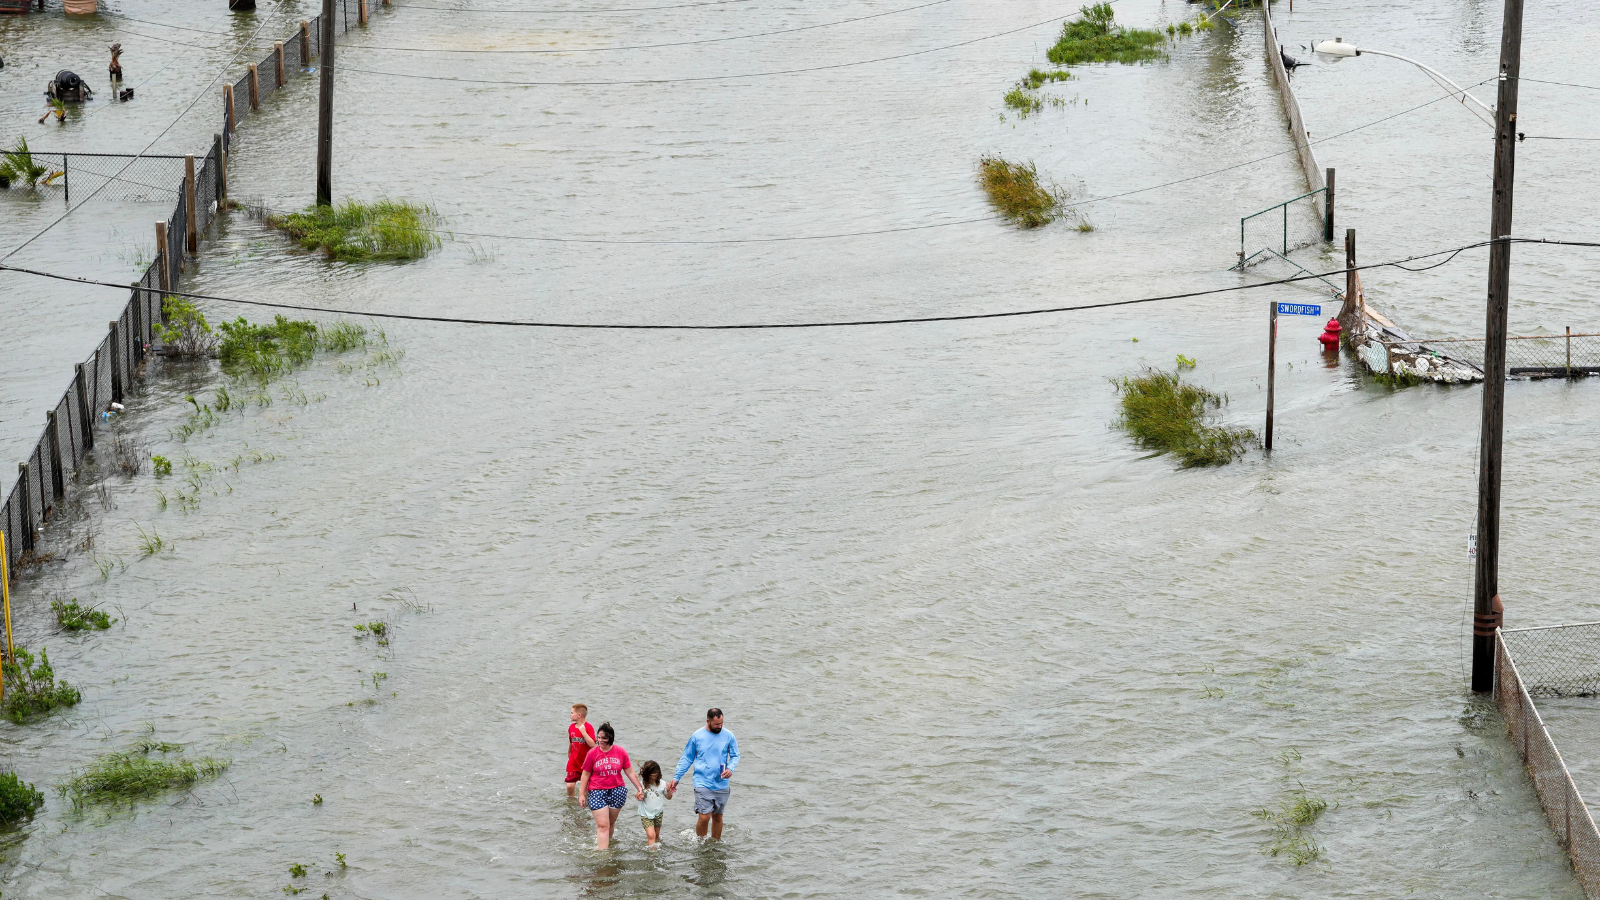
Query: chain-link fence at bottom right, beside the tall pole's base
[1556,662]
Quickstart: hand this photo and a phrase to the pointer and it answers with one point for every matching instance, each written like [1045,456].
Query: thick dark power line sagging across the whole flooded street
[791,326]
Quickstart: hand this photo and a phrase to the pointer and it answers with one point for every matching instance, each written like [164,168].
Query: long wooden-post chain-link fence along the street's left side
[106,377]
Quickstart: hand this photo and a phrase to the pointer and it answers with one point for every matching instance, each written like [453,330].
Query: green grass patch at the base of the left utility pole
[359,233]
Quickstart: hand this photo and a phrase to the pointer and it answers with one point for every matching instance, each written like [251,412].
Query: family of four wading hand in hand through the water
[598,766]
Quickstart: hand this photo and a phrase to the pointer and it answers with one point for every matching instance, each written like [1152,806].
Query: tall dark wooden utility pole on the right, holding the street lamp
[1486,582]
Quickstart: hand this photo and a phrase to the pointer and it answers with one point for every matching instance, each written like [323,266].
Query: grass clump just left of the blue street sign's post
[1167,416]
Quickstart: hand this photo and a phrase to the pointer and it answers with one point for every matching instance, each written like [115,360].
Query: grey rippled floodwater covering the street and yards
[974,643]
